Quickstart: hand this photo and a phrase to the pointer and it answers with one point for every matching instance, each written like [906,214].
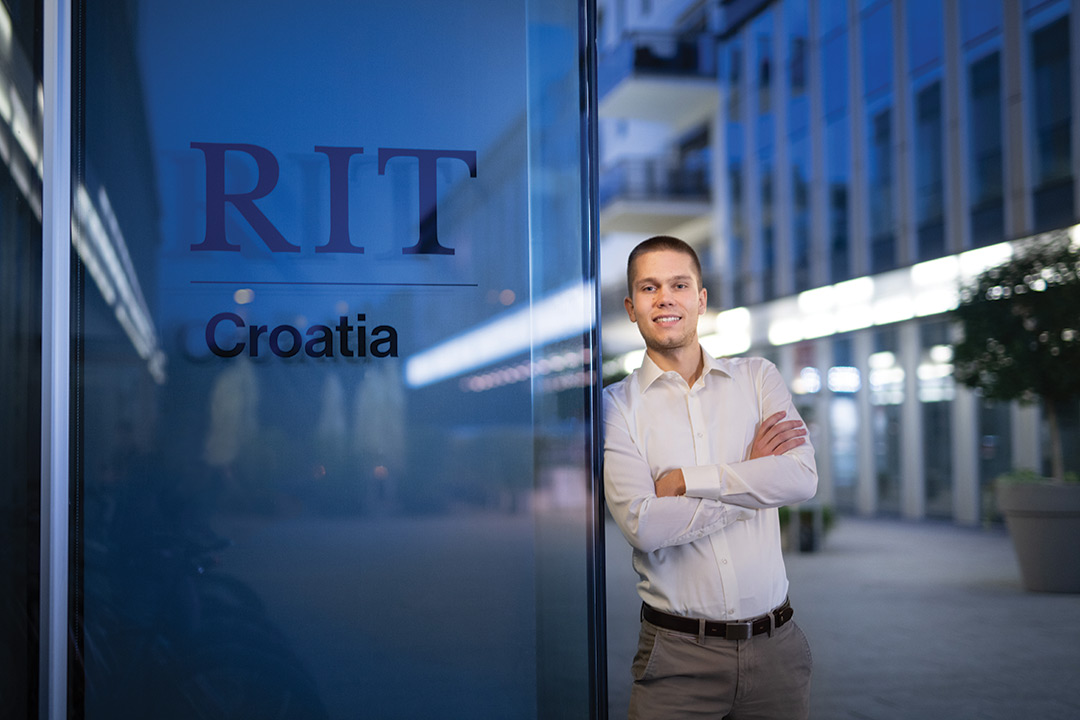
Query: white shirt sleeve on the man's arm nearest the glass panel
[651,523]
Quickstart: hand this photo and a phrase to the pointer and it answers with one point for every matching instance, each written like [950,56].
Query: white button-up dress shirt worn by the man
[715,552]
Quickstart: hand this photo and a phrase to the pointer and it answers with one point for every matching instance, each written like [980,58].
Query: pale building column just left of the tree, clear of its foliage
[913,486]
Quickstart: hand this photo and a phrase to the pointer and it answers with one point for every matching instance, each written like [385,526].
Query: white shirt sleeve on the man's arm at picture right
[761,483]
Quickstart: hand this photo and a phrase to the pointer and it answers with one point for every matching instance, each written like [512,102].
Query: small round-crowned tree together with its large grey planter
[1021,342]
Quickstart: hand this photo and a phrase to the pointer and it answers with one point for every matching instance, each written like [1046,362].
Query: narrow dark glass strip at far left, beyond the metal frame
[21,138]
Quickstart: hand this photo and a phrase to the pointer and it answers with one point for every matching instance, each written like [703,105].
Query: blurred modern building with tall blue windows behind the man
[856,160]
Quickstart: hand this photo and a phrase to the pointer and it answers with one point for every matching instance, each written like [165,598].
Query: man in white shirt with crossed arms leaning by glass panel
[698,456]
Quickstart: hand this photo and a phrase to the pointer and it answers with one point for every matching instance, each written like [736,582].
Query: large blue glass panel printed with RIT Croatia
[334,402]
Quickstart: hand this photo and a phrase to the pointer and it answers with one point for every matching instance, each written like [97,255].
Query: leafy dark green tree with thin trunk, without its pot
[1021,328]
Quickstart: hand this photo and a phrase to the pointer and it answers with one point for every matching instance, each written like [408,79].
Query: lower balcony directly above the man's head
[654,196]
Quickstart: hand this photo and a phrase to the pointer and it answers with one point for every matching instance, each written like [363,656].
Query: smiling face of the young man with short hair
[666,301]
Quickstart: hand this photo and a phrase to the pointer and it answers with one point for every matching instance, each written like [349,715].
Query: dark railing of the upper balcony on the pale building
[657,55]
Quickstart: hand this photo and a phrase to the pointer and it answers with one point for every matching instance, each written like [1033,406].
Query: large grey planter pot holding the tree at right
[1044,521]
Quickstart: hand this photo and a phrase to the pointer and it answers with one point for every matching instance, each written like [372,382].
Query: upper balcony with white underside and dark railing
[661,78]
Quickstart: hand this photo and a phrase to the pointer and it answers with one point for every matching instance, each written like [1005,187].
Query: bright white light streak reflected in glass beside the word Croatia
[558,317]
